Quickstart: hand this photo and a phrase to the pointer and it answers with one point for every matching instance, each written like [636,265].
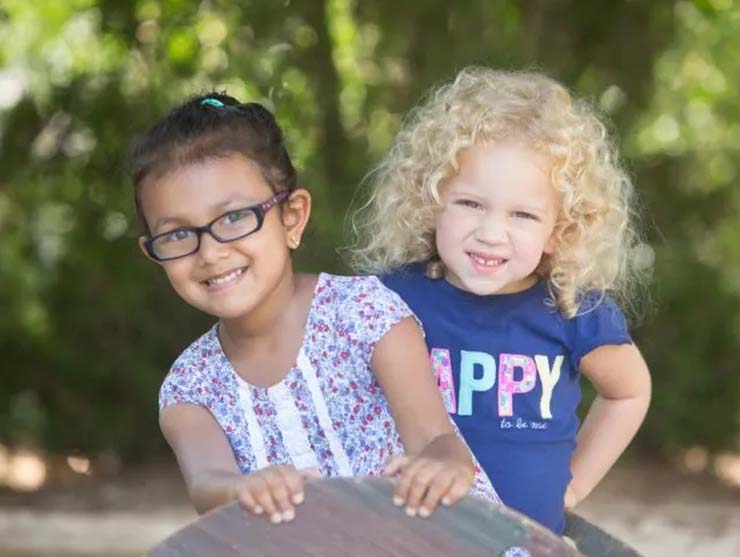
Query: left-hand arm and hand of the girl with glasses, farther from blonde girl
[211,473]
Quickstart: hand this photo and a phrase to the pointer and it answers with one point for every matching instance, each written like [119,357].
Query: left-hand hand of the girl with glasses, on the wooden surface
[273,491]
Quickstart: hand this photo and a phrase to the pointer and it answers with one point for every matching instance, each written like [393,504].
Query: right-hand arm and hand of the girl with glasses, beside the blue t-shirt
[439,465]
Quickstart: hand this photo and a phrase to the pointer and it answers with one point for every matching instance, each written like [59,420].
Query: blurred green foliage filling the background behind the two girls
[88,327]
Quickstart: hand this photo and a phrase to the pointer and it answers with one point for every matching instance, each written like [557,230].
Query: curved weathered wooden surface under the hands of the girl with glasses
[349,517]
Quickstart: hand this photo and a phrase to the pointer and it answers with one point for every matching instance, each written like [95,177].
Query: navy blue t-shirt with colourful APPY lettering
[507,367]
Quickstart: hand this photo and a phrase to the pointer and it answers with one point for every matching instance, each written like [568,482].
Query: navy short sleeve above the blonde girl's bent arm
[600,322]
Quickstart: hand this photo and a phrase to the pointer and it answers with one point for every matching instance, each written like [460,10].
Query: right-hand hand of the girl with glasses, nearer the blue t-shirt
[424,482]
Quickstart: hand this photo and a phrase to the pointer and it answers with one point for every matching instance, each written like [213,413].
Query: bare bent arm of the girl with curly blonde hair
[622,382]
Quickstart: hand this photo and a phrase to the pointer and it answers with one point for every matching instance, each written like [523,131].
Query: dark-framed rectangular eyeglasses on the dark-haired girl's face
[226,228]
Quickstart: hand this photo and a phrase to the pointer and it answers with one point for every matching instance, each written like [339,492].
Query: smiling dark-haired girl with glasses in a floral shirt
[301,375]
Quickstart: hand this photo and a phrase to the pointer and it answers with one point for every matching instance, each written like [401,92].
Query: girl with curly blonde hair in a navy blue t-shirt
[503,217]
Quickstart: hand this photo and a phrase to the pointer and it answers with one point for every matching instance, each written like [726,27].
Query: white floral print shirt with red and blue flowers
[328,412]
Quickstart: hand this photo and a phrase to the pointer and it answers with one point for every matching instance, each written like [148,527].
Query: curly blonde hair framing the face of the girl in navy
[595,231]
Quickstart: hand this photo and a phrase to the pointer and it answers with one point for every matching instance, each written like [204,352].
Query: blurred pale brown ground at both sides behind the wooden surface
[660,511]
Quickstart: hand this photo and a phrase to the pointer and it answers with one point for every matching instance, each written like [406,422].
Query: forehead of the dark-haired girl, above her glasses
[195,190]
